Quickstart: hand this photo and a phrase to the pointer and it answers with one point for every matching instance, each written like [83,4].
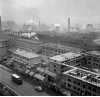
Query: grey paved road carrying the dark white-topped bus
[25,89]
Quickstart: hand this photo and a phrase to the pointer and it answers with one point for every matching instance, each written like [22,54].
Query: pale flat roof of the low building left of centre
[26,54]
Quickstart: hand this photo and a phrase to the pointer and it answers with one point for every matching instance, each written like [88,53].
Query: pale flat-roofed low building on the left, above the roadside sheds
[24,59]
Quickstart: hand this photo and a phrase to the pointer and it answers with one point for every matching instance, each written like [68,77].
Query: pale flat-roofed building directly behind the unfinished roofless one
[63,62]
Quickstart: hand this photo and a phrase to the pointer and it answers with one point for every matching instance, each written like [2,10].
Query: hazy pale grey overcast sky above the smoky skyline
[51,11]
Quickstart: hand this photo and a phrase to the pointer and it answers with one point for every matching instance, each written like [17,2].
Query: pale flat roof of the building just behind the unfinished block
[66,56]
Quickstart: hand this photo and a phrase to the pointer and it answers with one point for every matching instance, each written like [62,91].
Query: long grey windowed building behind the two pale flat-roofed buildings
[50,49]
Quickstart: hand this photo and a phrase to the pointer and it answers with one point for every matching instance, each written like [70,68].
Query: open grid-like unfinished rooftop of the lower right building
[85,75]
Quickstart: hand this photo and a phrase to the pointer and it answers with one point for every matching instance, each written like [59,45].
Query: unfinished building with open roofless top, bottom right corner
[82,81]
